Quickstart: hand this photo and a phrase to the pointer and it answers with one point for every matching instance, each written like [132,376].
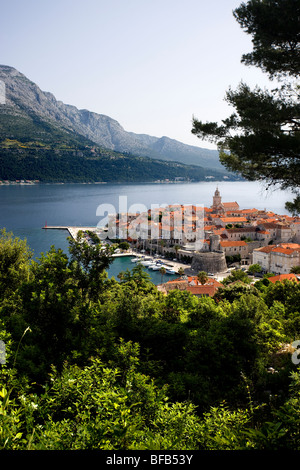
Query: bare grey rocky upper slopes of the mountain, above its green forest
[25,99]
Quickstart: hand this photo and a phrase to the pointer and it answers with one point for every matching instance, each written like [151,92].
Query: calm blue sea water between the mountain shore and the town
[24,210]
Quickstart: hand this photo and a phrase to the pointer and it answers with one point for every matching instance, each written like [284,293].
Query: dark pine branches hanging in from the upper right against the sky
[261,139]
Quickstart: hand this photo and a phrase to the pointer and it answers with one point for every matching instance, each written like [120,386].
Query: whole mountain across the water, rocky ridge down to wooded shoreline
[42,138]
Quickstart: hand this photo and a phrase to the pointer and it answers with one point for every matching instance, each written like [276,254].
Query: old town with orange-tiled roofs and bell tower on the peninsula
[212,240]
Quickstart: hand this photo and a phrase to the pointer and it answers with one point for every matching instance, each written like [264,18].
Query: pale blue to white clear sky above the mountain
[149,64]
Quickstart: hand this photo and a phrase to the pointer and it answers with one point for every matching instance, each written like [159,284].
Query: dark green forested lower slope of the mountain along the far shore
[82,164]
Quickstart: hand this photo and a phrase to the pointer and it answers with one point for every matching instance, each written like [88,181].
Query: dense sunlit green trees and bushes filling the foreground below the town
[99,363]
